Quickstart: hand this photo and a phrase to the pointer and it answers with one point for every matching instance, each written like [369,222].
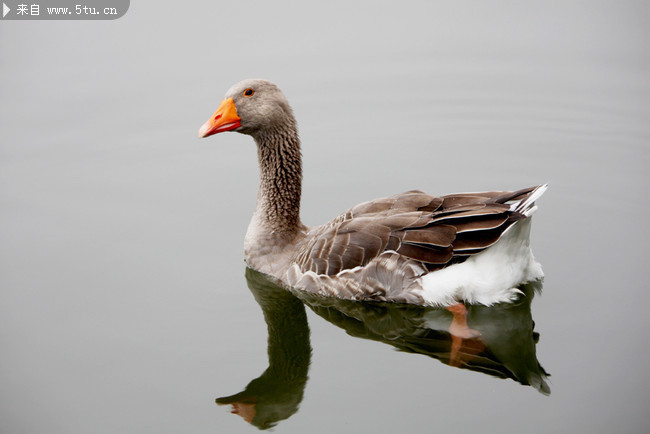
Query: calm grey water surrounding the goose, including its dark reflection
[125,304]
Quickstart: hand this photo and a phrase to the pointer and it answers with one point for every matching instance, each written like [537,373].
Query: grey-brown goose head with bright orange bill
[250,107]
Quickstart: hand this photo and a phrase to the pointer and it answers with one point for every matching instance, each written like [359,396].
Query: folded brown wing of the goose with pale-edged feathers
[432,231]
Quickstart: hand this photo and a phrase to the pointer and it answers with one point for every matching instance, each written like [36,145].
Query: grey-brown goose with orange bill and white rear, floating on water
[411,247]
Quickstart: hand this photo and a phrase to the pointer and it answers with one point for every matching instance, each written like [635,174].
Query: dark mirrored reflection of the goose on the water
[498,340]
